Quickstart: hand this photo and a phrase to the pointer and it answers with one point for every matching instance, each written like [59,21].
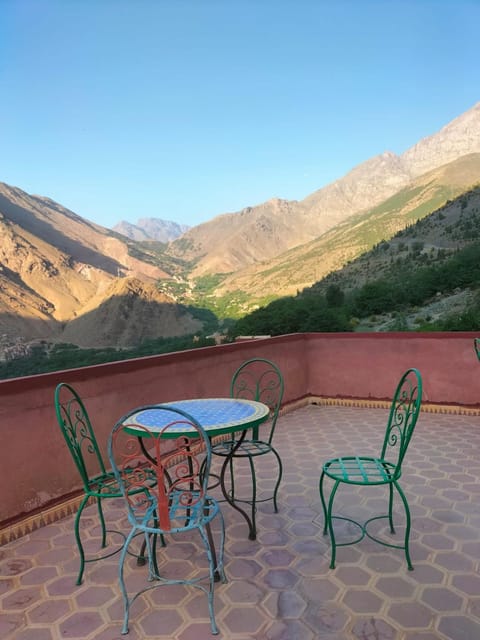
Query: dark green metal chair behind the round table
[261,380]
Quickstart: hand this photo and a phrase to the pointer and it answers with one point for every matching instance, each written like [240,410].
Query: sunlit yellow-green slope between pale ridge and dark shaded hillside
[305,264]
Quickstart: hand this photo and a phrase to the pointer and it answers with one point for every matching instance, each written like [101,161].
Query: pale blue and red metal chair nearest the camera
[165,492]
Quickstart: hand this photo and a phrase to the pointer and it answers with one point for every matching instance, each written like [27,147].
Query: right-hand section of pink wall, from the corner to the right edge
[368,365]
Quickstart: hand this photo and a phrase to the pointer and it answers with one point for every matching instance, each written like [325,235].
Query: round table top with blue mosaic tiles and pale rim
[215,415]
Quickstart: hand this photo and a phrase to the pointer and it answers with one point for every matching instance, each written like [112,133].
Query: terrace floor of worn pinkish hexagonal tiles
[280,586]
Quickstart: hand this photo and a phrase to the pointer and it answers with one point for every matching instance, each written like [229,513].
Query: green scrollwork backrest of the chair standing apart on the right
[403,417]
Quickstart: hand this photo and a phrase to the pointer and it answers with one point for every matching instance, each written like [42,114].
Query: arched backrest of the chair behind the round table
[260,379]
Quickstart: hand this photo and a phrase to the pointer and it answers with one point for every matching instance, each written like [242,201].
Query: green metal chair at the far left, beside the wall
[98,483]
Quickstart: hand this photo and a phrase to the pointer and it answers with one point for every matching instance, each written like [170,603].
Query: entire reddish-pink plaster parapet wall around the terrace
[37,468]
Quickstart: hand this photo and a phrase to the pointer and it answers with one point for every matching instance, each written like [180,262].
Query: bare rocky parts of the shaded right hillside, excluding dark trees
[433,240]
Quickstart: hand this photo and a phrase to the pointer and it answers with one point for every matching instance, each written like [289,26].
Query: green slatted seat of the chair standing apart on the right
[361,470]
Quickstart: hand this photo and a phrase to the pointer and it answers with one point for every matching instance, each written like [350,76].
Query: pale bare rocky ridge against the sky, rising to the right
[233,241]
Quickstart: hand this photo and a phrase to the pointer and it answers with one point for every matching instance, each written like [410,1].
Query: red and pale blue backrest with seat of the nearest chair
[158,469]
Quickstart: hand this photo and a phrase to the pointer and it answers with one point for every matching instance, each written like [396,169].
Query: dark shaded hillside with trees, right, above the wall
[424,278]
